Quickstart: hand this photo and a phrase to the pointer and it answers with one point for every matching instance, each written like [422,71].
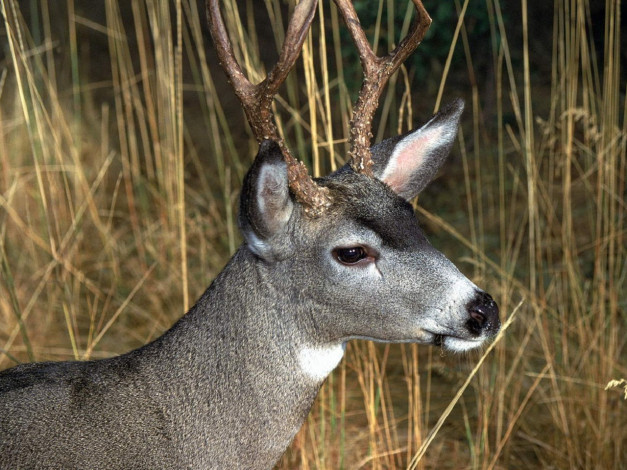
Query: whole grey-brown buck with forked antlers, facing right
[323,262]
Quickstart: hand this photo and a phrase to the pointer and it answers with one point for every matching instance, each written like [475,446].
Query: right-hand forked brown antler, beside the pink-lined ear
[377,71]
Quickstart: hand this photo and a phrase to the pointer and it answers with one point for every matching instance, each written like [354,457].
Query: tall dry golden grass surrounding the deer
[117,202]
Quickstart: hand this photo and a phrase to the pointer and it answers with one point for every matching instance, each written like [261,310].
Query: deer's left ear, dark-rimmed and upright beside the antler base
[265,202]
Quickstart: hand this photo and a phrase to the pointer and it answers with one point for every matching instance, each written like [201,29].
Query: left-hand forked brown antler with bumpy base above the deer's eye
[257,99]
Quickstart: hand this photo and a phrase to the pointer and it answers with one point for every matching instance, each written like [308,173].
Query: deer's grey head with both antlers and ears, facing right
[352,237]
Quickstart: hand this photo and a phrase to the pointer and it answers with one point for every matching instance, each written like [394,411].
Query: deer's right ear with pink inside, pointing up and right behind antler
[409,162]
